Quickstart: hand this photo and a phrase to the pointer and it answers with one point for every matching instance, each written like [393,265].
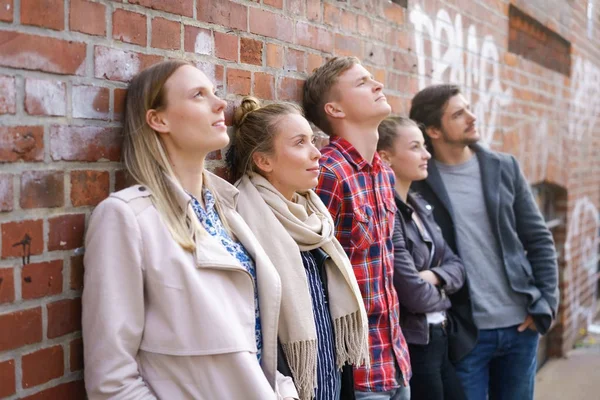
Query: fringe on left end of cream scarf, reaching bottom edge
[302,360]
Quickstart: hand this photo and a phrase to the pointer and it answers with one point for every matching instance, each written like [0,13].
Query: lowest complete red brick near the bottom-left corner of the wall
[42,366]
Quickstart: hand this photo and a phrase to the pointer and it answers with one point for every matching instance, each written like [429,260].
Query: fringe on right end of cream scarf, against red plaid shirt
[351,341]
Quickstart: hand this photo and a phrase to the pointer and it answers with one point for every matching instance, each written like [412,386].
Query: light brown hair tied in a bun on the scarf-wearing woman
[255,128]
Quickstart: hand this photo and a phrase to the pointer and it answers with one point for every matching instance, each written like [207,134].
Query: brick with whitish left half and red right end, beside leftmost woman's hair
[85,143]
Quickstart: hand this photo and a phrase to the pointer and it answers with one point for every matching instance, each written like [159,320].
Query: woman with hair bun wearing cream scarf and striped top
[323,324]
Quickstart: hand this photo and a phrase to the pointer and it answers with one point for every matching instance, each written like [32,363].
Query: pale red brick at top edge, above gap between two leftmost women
[223,12]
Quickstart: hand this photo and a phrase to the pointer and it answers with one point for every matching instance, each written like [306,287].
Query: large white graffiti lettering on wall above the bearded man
[467,61]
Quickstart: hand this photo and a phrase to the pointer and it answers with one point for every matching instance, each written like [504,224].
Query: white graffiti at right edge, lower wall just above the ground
[581,257]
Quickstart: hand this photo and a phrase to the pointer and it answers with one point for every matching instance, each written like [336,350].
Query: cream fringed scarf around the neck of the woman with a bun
[284,229]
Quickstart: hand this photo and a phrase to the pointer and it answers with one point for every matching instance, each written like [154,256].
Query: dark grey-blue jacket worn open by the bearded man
[526,244]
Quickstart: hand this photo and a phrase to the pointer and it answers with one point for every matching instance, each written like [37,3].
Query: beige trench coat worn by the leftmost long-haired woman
[160,322]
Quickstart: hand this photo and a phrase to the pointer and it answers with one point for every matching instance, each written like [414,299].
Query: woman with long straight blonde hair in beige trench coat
[172,308]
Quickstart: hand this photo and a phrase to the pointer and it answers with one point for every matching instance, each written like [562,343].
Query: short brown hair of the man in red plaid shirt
[317,89]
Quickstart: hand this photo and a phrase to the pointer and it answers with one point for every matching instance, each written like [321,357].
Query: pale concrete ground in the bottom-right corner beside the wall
[576,377]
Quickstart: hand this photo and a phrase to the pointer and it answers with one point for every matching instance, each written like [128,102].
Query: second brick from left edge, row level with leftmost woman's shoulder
[42,189]
